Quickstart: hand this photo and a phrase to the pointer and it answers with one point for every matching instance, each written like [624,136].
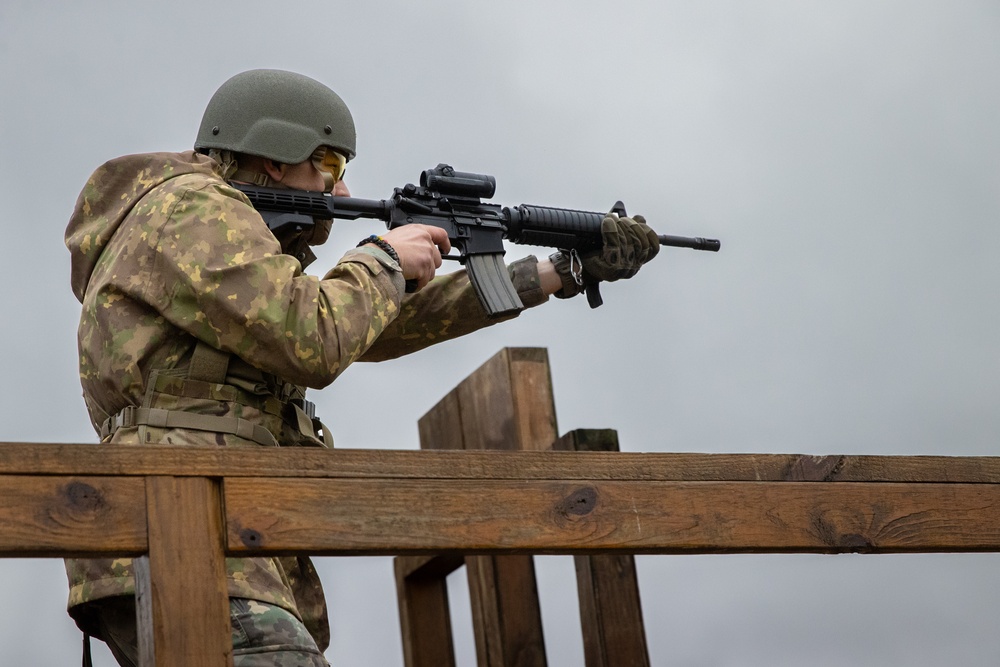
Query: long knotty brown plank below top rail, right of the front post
[396,516]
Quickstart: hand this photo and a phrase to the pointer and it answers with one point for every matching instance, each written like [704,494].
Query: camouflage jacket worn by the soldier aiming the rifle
[166,254]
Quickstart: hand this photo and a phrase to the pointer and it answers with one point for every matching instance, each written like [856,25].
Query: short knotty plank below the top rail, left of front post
[72,516]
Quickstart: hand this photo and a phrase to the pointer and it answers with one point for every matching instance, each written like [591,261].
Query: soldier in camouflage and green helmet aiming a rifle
[199,326]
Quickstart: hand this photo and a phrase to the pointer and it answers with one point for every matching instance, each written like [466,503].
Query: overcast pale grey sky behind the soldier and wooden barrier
[846,153]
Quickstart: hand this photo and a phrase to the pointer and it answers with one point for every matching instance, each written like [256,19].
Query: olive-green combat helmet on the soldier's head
[278,115]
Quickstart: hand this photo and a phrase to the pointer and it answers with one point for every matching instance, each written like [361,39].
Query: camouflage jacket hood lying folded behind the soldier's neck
[109,196]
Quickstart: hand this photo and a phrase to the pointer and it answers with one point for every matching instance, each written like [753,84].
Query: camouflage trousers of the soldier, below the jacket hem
[264,635]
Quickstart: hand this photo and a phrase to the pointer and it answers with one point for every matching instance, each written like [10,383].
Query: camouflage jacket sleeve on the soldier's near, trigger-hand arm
[226,282]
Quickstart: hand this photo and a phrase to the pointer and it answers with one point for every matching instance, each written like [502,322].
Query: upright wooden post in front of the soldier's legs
[182,600]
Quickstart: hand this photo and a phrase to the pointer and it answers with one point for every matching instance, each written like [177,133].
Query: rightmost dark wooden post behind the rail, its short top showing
[608,586]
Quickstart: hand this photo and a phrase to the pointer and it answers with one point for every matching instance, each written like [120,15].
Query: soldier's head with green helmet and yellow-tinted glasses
[278,128]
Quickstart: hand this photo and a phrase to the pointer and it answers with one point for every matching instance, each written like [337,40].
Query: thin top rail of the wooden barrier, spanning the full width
[69,459]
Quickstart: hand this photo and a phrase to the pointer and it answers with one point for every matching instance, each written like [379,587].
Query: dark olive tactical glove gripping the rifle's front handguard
[628,244]
